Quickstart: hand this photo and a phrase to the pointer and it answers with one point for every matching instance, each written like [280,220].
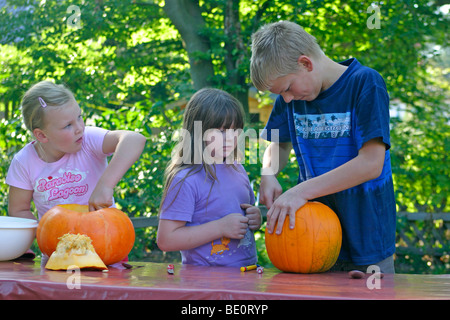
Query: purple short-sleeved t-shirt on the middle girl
[196,203]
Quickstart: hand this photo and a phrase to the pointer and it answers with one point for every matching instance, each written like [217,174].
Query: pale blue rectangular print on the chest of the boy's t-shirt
[323,126]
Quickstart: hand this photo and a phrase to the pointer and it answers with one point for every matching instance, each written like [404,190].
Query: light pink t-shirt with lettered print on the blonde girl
[71,179]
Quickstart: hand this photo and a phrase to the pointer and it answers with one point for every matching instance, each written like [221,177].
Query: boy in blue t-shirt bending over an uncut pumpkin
[336,117]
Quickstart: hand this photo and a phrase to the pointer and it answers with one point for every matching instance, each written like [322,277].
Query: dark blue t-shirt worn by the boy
[328,132]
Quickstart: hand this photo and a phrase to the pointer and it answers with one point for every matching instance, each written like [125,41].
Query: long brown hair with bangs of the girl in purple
[215,109]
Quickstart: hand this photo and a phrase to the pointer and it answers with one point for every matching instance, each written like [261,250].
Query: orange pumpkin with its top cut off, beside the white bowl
[110,229]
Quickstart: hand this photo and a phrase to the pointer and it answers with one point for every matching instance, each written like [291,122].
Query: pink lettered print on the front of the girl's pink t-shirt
[68,183]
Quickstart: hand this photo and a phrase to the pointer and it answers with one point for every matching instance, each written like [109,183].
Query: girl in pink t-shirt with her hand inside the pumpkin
[67,163]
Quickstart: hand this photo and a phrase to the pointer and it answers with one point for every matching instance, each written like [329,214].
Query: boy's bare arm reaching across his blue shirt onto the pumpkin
[367,165]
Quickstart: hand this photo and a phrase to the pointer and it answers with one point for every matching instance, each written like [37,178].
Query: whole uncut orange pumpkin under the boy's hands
[312,246]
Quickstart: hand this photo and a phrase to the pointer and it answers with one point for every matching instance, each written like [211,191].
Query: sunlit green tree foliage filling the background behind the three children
[128,69]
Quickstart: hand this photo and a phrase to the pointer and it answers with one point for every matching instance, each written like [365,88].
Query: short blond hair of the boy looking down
[276,48]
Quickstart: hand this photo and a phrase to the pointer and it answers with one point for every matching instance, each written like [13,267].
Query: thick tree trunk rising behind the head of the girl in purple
[186,17]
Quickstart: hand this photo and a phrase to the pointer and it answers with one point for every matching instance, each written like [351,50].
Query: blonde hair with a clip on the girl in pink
[38,98]
